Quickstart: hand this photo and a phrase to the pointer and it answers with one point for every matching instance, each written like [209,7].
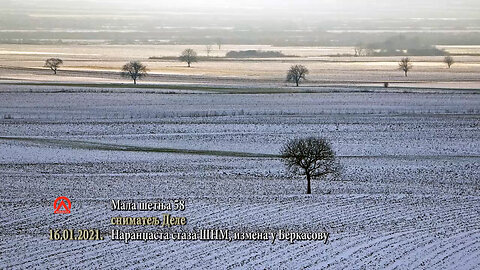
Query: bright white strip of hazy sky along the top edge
[330,8]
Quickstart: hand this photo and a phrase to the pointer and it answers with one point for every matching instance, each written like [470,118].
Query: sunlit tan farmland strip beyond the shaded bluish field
[102,63]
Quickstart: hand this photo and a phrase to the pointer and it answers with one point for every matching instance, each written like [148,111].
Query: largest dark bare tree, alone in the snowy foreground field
[312,157]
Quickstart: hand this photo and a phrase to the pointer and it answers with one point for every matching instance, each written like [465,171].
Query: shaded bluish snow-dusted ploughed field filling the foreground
[408,197]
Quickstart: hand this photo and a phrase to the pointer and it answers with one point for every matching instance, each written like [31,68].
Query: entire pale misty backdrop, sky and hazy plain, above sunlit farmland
[323,22]
